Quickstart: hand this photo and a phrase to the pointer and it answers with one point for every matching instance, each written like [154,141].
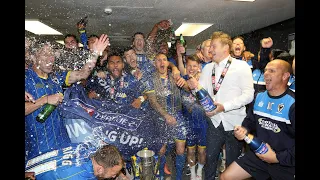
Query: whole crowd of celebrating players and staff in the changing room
[251,95]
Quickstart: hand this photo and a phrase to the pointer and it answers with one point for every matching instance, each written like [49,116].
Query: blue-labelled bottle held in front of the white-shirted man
[205,99]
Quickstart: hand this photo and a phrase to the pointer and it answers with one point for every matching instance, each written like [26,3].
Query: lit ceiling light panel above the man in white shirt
[191,29]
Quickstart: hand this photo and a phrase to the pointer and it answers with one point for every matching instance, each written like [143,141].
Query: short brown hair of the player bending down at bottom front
[108,156]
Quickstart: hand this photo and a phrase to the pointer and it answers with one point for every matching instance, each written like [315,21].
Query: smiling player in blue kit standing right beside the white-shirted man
[196,122]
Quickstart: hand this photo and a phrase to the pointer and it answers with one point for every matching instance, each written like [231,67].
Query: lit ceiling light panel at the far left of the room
[39,28]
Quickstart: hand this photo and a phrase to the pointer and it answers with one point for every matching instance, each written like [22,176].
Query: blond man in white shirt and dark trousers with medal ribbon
[229,82]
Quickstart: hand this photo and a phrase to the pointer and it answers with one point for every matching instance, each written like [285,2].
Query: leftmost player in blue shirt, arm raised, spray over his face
[45,86]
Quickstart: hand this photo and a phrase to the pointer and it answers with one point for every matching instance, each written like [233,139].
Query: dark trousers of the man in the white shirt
[216,138]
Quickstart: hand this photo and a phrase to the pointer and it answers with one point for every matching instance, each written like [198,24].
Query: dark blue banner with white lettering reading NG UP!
[93,122]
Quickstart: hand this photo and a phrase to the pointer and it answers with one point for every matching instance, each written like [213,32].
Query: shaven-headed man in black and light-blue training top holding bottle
[272,117]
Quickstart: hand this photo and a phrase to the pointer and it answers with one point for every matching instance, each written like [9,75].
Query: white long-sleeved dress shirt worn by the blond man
[235,91]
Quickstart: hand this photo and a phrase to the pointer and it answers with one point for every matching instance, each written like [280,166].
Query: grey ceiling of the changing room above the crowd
[130,16]
